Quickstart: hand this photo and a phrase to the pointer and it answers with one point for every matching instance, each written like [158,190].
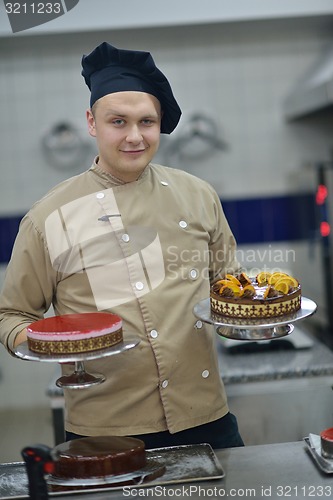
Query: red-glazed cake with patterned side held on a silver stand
[75,333]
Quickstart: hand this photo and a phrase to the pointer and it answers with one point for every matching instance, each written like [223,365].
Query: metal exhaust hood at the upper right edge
[314,92]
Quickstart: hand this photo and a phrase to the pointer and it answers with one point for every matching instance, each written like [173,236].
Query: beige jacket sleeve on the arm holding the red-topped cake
[29,283]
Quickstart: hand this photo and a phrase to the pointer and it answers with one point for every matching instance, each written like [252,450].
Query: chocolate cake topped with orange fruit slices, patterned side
[266,295]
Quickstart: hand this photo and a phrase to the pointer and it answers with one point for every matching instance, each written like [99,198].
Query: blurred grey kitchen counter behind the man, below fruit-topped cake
[278,395]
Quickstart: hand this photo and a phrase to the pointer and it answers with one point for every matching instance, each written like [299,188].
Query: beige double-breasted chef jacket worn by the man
[147,251]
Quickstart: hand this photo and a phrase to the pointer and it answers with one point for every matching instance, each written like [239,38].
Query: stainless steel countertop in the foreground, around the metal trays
[272,471]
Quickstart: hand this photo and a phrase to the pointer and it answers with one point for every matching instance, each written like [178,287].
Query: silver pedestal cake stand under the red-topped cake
[80,378]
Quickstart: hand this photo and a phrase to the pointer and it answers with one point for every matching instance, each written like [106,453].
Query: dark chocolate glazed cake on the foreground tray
[95,457]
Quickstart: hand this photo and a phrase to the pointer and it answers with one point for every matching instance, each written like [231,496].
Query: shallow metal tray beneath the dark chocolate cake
[187,463]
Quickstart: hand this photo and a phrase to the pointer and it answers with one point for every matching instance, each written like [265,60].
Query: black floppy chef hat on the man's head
[107,70]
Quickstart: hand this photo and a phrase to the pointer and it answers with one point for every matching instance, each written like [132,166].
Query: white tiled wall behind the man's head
[238,74]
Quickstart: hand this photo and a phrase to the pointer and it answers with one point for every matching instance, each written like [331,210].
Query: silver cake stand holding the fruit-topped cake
[256,329]
